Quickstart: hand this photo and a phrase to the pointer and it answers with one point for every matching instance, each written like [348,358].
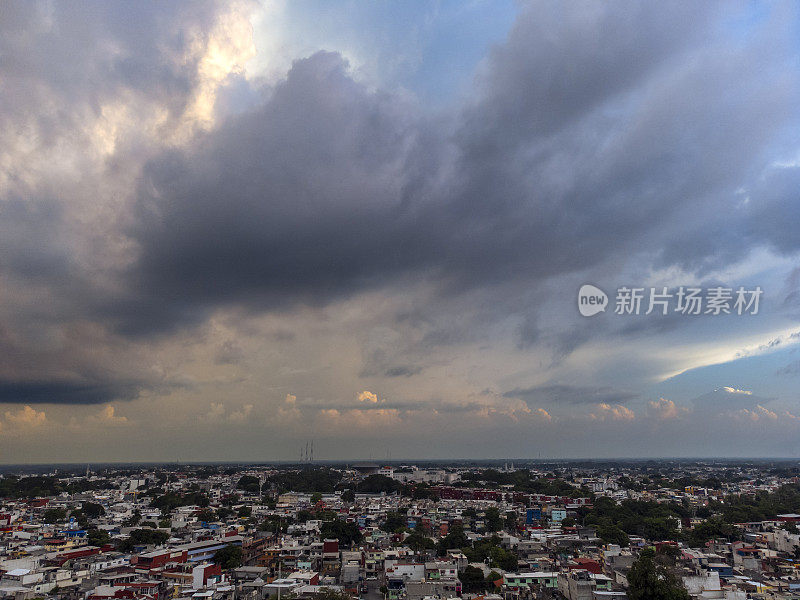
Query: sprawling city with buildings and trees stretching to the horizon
[580,530]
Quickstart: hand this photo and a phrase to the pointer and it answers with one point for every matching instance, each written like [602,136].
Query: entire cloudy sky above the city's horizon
[230,228]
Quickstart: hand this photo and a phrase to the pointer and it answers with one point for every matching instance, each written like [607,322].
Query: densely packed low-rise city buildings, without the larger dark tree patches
[279,543]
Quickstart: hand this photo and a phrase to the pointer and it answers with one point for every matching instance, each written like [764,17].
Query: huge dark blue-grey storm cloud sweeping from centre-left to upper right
[592,145]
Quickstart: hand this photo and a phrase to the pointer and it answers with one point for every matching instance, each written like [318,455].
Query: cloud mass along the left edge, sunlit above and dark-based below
[61,67]
